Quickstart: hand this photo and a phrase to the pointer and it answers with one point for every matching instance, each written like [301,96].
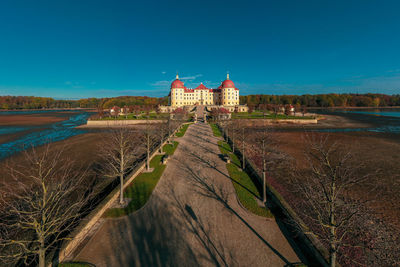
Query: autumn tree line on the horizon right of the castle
[324,100]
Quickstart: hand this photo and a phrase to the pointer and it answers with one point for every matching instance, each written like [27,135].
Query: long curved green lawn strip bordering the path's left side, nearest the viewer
[142,186]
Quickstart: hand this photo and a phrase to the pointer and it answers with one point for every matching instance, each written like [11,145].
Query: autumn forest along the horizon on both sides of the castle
[320,100]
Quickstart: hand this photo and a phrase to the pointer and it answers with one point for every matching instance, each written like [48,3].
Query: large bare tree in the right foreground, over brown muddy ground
[327,189]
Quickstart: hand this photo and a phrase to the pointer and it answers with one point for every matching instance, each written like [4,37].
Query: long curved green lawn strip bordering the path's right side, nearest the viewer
[245,189]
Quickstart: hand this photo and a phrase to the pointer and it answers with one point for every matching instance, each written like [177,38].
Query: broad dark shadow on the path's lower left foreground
[150,237]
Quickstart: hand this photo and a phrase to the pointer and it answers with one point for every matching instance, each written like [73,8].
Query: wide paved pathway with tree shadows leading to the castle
[193,218]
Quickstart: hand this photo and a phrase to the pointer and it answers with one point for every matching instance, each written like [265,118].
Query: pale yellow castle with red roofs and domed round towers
[225,95]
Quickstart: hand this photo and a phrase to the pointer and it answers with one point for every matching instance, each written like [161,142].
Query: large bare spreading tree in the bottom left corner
[42,200]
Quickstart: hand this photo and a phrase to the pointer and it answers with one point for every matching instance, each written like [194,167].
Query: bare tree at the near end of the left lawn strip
[118,152]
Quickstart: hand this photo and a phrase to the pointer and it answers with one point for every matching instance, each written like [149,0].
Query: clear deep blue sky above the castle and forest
[75,49]
